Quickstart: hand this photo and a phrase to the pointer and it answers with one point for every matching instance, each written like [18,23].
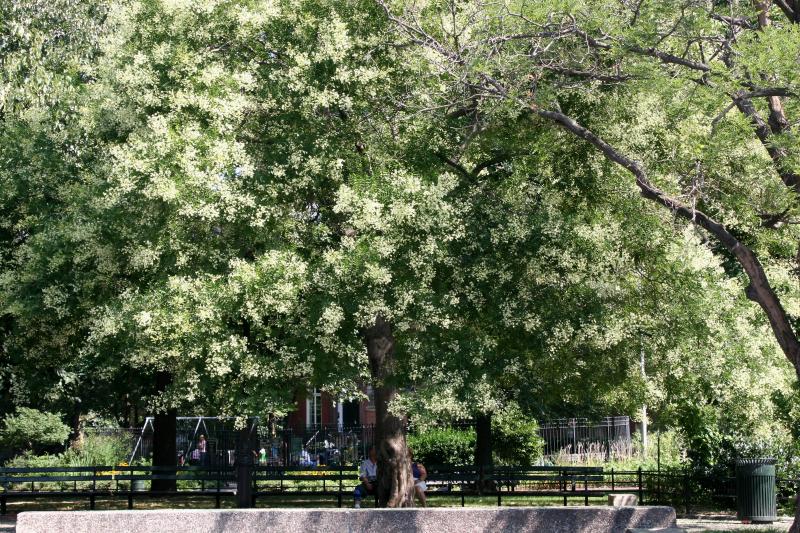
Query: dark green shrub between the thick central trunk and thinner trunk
[440,446]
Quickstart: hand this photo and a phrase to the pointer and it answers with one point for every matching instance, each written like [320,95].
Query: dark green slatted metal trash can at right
[755,490]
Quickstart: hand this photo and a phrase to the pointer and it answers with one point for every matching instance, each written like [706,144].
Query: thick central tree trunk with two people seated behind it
[395,484]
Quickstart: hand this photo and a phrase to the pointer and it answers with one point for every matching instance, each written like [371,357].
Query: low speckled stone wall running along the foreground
[431,520]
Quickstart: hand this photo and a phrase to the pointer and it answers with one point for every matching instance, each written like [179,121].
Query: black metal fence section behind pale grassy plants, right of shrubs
[609,438]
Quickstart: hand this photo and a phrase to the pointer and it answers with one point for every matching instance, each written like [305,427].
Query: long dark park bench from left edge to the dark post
[118,481]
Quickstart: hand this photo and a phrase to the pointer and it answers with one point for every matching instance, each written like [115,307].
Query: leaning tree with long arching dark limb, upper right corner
[696,61]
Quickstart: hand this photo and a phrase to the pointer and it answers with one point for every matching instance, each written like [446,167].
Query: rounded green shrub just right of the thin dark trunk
[515,439]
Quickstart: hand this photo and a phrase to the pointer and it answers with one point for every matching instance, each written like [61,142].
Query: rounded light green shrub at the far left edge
[30,430]
